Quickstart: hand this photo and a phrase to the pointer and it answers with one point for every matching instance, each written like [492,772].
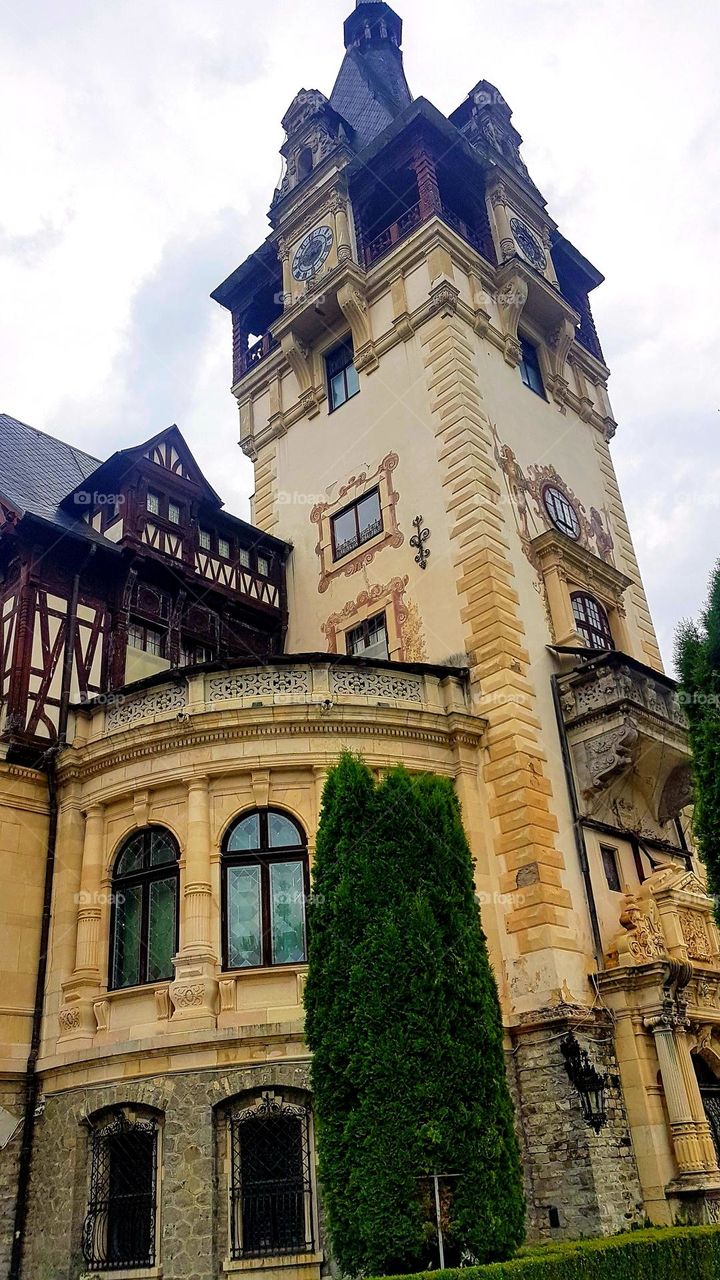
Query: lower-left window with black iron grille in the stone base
[121,1224]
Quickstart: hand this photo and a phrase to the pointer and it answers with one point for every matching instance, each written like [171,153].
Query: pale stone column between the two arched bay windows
[194,994]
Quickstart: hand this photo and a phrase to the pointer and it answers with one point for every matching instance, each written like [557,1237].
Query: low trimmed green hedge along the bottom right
[666,1254]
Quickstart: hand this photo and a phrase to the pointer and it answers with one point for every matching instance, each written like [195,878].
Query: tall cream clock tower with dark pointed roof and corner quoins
[425,397]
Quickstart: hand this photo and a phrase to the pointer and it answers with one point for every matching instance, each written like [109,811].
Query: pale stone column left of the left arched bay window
[76,1016]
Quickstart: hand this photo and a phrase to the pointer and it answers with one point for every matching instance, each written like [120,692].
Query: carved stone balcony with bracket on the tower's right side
[628,742]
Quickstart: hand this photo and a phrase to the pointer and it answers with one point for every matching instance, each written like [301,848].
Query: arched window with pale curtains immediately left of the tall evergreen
[265,892]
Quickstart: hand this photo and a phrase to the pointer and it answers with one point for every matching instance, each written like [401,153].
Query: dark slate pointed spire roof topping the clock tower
[371,89]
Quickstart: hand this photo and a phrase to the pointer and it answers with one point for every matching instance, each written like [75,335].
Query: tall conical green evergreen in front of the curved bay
[404,1025]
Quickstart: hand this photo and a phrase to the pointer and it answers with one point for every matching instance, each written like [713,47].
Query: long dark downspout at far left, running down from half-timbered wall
[33,1085]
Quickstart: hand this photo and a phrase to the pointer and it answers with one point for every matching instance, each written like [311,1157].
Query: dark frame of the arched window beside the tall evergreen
[265,857]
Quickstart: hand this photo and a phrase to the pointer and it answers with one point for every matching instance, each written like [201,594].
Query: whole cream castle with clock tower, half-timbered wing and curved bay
[439,573]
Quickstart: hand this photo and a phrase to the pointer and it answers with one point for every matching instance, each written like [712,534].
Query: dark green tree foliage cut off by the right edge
[699,664]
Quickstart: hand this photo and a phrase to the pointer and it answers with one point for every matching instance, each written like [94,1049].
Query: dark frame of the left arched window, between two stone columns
[145,877]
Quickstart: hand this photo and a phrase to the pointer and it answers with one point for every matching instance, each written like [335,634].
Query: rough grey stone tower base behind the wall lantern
[578,1183]
